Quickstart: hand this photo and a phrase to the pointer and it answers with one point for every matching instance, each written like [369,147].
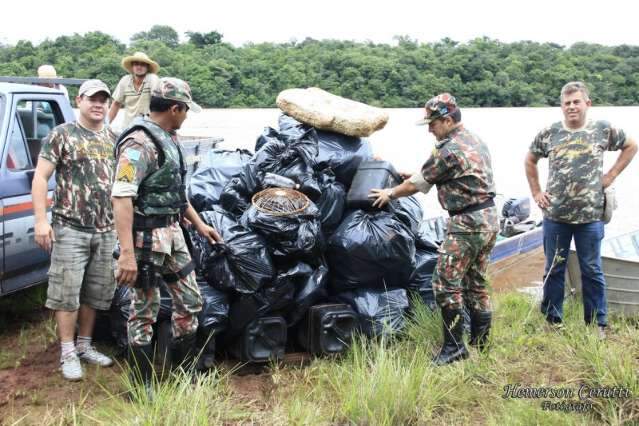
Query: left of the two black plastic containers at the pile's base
[263,339]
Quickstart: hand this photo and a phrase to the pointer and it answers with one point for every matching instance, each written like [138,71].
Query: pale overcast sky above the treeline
[609,22]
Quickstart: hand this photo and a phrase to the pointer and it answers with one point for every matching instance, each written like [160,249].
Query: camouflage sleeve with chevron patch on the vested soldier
[136,159]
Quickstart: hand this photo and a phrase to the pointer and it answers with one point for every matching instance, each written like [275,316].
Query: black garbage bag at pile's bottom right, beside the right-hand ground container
[381,312]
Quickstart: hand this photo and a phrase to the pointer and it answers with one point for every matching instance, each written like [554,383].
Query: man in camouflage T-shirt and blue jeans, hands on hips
[573,202]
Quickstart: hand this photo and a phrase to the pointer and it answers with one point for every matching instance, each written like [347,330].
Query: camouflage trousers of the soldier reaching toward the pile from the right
[460,274]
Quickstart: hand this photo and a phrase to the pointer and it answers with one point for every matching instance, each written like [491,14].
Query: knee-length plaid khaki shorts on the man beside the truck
[81,269]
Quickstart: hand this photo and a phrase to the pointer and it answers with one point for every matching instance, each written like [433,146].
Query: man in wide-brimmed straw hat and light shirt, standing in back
[133,92]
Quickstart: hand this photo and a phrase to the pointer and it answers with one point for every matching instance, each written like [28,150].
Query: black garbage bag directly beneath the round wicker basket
[297,236]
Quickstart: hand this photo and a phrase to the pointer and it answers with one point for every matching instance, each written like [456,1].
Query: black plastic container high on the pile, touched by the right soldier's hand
[370,174]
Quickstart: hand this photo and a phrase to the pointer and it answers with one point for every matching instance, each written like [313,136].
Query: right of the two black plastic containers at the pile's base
[327,329]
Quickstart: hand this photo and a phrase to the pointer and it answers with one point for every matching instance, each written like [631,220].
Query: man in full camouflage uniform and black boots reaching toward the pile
[460,167]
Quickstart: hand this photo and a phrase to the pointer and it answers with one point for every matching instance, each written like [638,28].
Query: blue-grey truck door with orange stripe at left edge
[30,120]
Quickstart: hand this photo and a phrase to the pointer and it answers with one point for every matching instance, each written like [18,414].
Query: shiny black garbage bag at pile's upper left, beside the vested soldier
[207,183]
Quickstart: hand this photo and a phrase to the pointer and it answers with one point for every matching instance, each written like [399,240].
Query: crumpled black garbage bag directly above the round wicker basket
[294,159]
